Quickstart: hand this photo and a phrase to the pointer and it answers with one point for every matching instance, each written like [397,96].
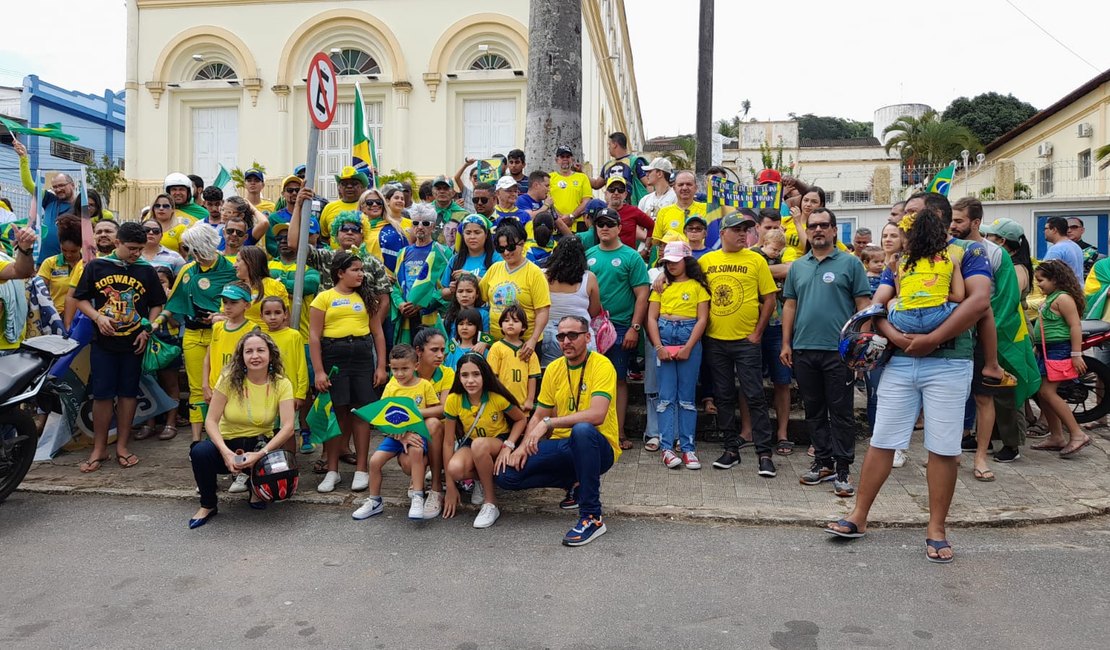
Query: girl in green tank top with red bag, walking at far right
[1062,338]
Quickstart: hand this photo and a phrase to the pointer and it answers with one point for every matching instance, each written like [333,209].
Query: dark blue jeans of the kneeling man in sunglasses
[581,459]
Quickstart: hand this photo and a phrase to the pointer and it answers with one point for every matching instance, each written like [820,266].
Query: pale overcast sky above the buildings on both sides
[843,59]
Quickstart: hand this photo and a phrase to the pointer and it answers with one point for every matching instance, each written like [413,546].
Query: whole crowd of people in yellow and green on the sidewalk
[516,314]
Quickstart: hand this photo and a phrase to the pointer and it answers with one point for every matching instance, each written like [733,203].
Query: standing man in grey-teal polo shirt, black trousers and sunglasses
[823,290]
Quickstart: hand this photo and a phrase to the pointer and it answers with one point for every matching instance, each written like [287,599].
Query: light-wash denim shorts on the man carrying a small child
[907,384]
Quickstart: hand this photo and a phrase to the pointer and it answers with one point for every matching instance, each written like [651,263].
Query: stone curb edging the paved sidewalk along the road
[1078,511]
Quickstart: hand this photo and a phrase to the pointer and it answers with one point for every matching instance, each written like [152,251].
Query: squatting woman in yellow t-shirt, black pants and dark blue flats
[250,395]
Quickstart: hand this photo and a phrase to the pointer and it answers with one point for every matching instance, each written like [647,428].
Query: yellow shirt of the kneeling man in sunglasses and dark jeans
[569,390]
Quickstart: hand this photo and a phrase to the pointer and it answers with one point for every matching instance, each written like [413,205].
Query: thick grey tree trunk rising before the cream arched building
[554,114]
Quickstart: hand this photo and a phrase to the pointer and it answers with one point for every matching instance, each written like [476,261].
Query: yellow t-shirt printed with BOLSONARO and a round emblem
[736,283]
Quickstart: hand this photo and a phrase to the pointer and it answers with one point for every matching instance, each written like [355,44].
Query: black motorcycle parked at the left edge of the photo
[26,383]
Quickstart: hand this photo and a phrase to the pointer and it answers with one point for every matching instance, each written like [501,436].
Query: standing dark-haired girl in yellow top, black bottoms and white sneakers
[346,337]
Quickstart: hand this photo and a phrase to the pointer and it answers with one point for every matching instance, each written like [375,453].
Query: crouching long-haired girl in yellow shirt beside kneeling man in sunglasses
[486,422]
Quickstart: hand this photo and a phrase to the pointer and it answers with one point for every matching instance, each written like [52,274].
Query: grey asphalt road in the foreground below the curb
[126,573]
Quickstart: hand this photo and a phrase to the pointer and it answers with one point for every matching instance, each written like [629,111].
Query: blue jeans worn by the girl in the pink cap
[678,387]
